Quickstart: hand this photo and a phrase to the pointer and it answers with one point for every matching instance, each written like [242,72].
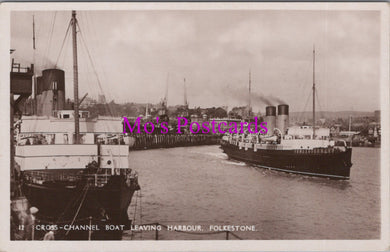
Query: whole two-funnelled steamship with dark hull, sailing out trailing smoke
[306,150]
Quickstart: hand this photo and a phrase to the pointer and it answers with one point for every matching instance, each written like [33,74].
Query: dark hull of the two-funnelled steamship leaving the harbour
[335,165]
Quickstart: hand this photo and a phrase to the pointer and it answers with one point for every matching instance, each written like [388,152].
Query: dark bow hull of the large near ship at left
[82,211]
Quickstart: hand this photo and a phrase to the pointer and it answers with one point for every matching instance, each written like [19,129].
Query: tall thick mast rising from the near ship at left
[75,79]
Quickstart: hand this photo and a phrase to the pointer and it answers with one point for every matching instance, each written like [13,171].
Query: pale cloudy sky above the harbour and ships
[136,53]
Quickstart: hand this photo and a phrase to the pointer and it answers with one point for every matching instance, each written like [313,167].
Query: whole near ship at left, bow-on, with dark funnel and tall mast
[72,167]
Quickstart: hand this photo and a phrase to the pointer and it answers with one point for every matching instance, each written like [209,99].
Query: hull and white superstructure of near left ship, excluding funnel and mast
[84,183]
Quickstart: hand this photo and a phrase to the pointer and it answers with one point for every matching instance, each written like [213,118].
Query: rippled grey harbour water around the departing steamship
[200,186]
